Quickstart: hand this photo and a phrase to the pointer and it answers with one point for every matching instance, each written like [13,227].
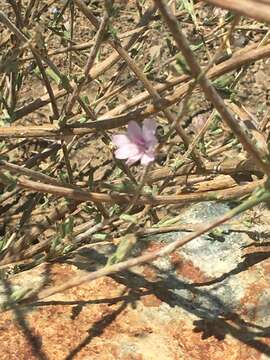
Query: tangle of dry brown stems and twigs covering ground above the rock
[75,75]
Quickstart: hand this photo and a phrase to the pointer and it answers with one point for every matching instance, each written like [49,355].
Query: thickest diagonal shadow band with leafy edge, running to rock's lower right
[217,325]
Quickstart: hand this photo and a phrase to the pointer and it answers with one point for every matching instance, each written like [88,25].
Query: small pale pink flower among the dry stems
[138,143]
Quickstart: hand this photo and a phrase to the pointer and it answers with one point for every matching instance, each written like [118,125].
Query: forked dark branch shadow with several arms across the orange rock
[216,318]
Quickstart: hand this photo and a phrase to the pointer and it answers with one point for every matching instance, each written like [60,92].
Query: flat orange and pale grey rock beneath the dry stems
[208,300]
